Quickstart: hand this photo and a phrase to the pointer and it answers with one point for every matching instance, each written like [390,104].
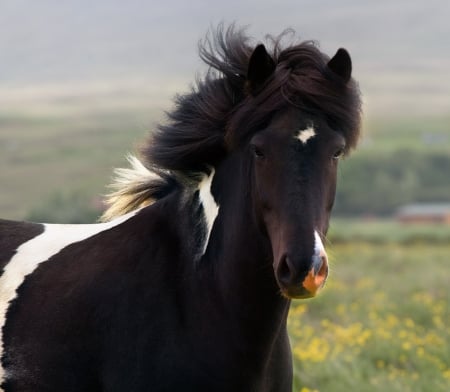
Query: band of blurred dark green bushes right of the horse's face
[378,182]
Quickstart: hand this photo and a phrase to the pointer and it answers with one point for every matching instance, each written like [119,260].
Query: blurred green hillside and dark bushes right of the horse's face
[399,161]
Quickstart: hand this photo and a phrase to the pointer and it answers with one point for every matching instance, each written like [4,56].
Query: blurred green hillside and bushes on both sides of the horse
[49,159]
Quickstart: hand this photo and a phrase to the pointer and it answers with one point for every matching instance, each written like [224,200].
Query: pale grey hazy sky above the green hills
[400,48]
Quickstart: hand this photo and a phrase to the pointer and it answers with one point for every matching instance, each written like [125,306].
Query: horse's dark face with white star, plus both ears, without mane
[294,160]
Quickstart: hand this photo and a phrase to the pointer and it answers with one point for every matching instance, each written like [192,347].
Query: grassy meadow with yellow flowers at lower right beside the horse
[382,323]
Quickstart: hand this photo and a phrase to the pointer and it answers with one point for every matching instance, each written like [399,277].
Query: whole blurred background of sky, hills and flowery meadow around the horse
[82,82]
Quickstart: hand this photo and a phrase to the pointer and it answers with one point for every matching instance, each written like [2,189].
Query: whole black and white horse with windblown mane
[209,236]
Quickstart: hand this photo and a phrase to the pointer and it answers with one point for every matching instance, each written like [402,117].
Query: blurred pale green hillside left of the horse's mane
[49,162]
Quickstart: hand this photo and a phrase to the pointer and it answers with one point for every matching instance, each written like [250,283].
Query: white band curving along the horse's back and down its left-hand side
[38,250]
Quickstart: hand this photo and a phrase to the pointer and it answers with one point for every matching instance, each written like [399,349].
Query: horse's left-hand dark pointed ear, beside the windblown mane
[260,67]
